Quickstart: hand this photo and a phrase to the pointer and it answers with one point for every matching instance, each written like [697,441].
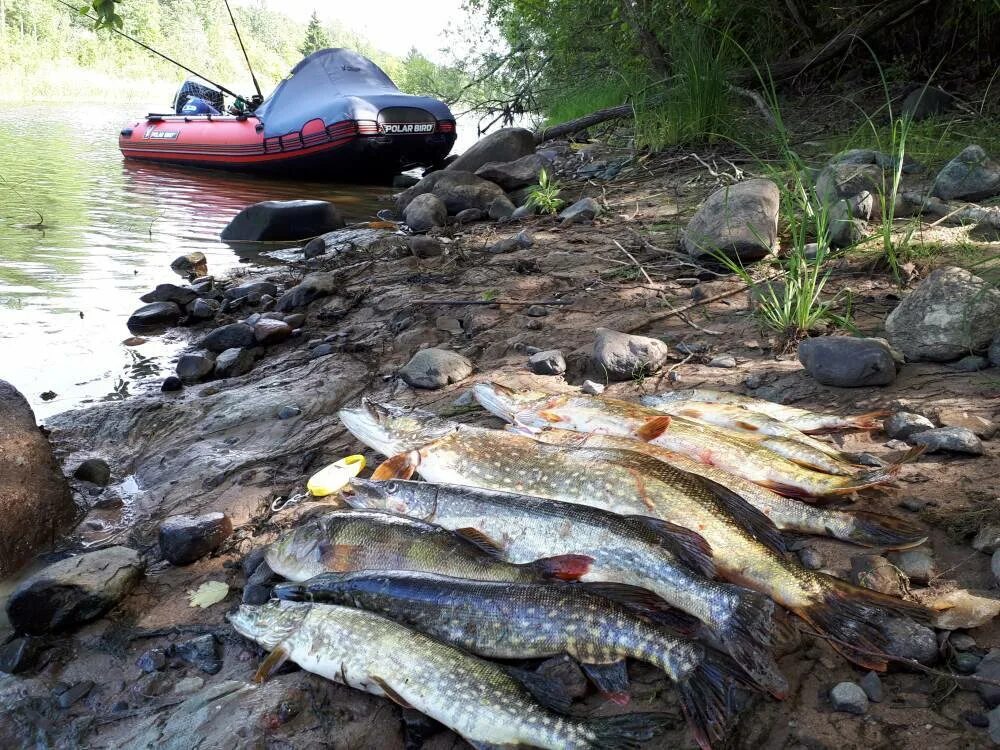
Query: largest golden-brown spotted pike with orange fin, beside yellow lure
[630,483]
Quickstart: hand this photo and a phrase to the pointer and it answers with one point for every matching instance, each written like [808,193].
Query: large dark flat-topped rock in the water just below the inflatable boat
[282,220]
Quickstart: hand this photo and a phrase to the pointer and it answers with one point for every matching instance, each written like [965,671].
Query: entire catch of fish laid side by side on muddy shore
[603,529]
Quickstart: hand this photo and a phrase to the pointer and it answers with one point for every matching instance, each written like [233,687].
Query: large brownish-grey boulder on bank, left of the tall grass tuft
[740,220]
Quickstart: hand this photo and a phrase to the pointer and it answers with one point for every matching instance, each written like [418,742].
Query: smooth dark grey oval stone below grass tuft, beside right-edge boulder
[847,362]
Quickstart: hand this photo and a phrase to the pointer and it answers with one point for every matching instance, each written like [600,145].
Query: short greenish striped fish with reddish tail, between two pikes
[348,540]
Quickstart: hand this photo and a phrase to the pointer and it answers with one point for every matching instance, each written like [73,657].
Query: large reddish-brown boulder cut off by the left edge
[35,501]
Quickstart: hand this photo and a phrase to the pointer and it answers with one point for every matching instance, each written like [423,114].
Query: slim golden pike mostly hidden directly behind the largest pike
[859,527]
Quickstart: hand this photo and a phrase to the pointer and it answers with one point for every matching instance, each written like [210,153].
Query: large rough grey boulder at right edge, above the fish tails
[950,314]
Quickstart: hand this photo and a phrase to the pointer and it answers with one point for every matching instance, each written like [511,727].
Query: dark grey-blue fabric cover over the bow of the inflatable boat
[336,85]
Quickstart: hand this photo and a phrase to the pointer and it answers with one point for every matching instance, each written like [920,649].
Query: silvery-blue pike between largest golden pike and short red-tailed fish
[672,562]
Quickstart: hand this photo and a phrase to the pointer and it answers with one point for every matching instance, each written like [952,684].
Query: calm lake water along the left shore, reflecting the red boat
[83,234]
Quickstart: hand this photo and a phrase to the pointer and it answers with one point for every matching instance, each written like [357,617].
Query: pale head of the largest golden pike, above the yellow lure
[390,429]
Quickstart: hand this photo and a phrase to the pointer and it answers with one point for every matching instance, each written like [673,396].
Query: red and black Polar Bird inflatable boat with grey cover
[336,116]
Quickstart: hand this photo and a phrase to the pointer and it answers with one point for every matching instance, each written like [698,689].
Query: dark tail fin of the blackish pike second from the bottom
[708,698]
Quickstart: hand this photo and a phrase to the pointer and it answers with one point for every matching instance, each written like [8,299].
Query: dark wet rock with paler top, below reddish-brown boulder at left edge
[73,591]
